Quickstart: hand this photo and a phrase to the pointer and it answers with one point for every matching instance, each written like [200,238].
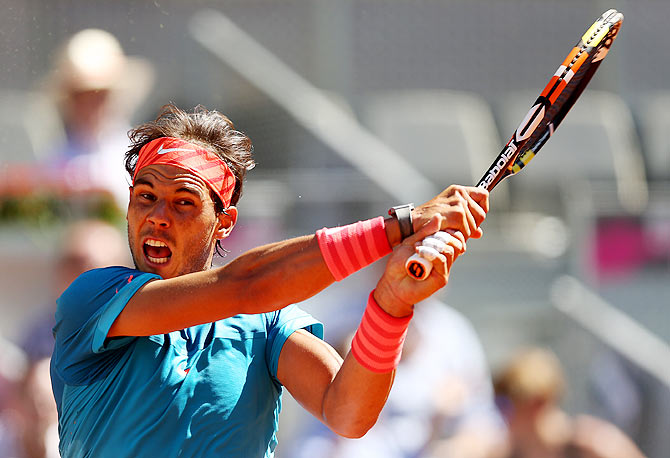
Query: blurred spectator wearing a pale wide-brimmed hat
[96,88]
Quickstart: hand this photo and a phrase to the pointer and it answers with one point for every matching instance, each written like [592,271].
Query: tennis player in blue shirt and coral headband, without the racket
[176,358]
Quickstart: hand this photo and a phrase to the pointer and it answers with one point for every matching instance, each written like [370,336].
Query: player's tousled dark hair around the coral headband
[209,129]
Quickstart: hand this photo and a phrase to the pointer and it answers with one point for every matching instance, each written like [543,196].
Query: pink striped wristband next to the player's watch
[347,249]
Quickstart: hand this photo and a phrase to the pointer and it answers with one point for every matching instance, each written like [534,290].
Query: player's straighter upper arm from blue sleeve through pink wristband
[261,280]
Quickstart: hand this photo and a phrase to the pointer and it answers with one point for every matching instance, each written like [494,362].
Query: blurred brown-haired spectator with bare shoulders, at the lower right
[529,390]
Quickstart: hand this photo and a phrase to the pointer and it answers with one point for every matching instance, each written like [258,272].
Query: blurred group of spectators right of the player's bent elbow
[447,403]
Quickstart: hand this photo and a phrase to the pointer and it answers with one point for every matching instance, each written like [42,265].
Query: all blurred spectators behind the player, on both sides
[446,400]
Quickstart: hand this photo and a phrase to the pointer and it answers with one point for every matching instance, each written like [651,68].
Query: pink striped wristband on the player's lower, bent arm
[378,342]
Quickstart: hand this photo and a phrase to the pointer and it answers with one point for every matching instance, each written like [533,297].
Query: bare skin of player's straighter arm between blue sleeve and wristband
[263,279]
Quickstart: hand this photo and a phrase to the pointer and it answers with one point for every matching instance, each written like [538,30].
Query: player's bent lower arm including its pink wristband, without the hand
[346,395]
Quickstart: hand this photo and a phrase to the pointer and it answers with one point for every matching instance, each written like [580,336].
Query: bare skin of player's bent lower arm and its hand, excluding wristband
[345,394]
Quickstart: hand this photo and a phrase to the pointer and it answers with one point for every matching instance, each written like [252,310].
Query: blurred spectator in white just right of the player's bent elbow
[441,403]
